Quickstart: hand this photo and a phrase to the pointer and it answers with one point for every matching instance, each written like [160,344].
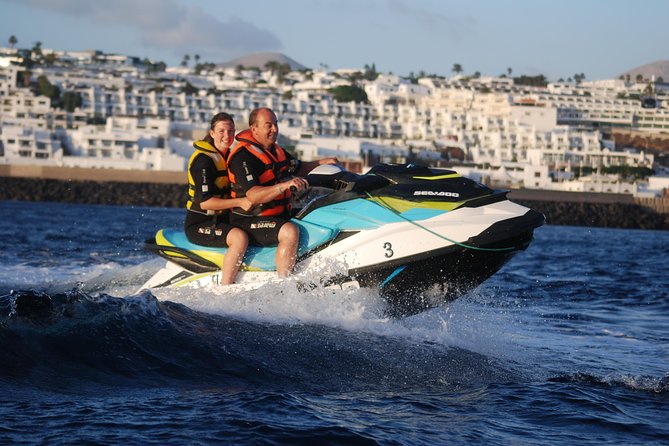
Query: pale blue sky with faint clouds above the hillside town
[599,38]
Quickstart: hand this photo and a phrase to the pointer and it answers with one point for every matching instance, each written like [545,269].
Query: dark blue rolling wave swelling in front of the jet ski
[66,340]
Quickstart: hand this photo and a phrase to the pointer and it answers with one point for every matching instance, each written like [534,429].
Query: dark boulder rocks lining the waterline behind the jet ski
[594,214]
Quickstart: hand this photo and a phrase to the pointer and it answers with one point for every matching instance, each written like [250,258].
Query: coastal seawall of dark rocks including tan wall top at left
[168,189]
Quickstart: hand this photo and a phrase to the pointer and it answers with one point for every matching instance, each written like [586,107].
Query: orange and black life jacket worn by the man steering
[276,168]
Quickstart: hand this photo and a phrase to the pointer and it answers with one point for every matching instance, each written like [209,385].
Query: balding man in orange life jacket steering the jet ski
[264,173]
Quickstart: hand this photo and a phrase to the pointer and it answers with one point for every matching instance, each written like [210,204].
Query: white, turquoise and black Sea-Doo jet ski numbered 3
[421,236]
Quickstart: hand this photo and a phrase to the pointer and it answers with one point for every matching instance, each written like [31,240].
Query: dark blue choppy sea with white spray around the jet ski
[567,345]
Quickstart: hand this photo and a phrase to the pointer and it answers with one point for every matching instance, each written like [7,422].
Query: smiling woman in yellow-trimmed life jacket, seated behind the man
[207,220]
